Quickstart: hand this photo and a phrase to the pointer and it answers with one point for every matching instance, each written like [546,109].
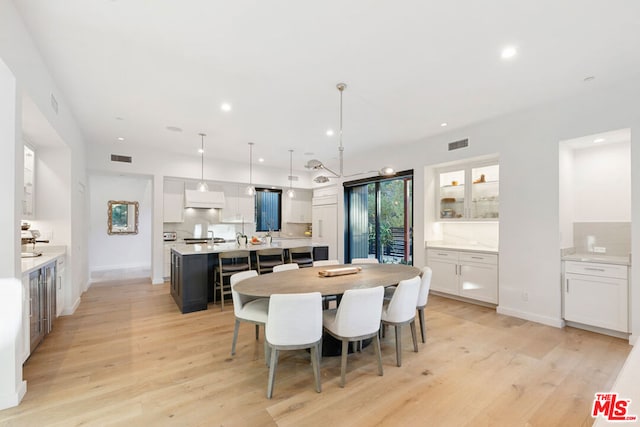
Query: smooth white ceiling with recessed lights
[409,66]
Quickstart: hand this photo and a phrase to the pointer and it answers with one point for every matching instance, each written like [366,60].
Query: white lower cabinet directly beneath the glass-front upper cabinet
[467,274]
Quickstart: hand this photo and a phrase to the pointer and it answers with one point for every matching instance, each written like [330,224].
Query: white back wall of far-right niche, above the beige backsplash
[602,183]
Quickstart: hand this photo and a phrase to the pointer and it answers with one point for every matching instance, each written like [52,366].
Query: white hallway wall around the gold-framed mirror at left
[119,252]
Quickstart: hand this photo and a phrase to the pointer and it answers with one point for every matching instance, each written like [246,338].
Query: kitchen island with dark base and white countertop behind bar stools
[193,269]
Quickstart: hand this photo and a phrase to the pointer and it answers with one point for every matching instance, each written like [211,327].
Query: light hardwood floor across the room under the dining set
[128,357]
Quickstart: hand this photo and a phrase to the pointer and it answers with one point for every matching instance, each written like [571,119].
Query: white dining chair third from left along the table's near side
[401,310]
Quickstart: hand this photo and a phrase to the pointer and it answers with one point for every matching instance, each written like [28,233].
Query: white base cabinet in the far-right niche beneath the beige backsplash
[596,294]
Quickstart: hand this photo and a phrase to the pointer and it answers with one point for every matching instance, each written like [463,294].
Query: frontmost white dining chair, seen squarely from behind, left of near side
[294,322]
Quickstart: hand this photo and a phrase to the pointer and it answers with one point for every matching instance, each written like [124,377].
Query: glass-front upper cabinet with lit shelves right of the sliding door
[469,192]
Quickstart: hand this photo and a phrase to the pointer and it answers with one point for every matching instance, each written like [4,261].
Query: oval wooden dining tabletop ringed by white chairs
[309,280]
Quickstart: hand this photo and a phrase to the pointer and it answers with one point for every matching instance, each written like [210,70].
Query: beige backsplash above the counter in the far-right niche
[614,237]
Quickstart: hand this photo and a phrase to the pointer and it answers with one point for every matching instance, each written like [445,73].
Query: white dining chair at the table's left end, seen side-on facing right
[247,309]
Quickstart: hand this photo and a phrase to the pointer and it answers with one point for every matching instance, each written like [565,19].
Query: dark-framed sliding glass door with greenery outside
[379,216]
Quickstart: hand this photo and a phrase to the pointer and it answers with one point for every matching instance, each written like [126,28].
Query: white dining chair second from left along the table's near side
[356,318]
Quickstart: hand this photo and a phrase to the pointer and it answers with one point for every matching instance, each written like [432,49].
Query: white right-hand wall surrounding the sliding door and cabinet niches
[528,146]
